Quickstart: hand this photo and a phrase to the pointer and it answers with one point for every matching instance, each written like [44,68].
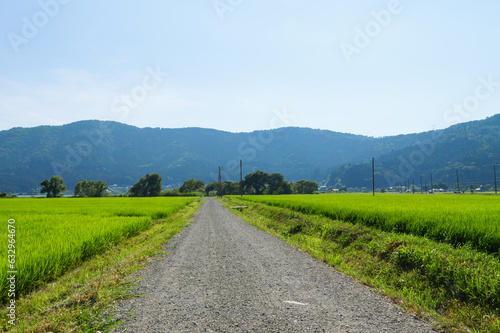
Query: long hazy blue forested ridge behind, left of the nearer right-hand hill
[121,154]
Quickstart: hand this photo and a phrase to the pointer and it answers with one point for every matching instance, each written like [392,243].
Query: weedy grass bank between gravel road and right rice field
[456,288]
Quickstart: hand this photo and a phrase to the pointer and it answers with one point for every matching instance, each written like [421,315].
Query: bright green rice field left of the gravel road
[53,236]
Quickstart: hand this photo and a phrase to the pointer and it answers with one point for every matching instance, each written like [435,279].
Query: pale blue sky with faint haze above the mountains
[374,68]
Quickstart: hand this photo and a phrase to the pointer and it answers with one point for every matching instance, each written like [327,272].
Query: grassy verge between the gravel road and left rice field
[80,301]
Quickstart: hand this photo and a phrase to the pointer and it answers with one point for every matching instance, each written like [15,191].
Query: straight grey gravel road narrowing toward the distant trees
[224,275]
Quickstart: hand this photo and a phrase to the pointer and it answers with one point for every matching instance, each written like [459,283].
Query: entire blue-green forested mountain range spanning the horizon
[121,154]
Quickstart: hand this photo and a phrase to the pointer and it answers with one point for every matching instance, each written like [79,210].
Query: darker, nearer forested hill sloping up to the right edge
[471,148]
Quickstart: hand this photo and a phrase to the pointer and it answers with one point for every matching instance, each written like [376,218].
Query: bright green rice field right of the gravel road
[455,219]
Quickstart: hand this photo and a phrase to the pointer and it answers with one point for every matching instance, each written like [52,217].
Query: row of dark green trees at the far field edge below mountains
[258,182]
